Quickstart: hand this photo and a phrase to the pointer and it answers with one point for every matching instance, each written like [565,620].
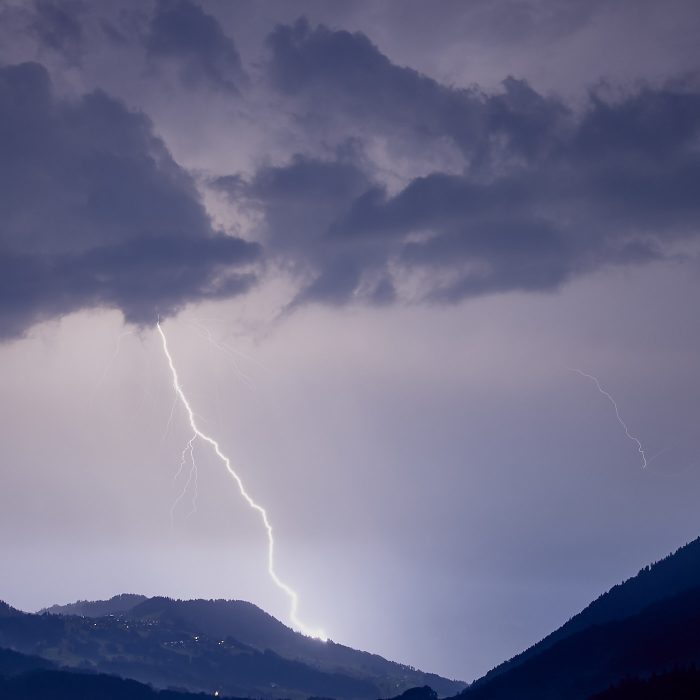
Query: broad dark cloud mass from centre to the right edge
[546,192]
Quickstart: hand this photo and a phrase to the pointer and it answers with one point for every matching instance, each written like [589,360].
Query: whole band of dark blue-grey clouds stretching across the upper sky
[97,213]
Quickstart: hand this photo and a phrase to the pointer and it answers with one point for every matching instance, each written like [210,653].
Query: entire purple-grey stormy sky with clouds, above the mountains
[379,235]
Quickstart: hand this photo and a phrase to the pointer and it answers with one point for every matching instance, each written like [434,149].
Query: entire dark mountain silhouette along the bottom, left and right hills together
[639,640]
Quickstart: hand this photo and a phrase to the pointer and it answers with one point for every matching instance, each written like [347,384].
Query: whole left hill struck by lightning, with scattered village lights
[232,647]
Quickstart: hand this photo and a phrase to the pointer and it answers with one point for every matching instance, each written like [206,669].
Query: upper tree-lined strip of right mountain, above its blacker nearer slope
[674,574]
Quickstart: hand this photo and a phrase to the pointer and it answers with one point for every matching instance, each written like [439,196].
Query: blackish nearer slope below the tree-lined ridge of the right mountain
[661,637]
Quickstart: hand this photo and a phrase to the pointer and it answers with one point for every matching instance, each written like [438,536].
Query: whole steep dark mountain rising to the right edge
[648,624]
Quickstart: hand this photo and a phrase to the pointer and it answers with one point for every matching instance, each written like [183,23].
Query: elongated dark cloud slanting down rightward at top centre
[342,76]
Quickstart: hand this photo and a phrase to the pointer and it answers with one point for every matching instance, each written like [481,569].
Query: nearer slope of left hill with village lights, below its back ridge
[166,655]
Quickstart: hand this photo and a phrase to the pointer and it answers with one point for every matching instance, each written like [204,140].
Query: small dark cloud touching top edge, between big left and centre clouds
[182,32]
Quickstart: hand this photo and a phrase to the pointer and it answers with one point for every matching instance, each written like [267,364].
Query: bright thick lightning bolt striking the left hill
[291,593]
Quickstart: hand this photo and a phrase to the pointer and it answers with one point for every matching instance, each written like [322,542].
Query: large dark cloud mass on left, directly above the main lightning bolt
[95,212]
